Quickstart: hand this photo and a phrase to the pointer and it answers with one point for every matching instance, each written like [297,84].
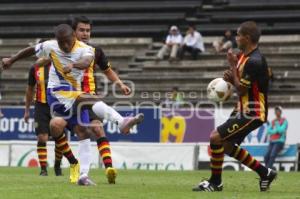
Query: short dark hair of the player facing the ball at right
[250,28]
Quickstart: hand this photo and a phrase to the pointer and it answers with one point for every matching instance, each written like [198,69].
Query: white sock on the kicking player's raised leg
[104,111]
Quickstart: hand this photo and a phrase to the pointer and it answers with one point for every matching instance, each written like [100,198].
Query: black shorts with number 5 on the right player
[237,127]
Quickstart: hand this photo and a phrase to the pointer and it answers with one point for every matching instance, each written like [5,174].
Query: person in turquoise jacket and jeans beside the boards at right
[277,132]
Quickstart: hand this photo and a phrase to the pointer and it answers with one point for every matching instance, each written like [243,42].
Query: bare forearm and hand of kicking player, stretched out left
[26,52]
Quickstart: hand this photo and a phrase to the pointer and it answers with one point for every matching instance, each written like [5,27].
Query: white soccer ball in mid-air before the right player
[218,90]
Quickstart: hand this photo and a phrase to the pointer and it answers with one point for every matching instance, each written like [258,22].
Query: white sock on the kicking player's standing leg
[84,153]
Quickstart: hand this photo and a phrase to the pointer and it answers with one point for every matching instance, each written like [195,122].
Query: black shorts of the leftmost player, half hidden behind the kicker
[42,118]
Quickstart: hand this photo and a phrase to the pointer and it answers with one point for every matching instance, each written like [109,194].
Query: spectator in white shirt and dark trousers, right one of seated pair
[193,43]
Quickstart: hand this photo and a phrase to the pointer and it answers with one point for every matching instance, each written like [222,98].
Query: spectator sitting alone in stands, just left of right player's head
[227,42]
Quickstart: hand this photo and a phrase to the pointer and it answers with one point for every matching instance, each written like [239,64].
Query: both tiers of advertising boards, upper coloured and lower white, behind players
[166,140]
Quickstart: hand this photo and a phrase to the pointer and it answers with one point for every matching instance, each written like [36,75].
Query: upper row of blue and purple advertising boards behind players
[160,126]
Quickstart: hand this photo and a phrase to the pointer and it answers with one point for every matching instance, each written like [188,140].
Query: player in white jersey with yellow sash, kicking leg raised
[69,58]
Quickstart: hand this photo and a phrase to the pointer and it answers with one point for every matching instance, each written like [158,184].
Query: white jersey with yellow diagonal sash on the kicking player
[63,88]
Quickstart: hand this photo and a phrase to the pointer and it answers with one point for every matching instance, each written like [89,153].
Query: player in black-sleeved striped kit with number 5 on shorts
[249,75]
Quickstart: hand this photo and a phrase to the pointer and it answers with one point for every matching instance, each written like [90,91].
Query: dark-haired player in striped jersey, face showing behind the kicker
[82,27]
